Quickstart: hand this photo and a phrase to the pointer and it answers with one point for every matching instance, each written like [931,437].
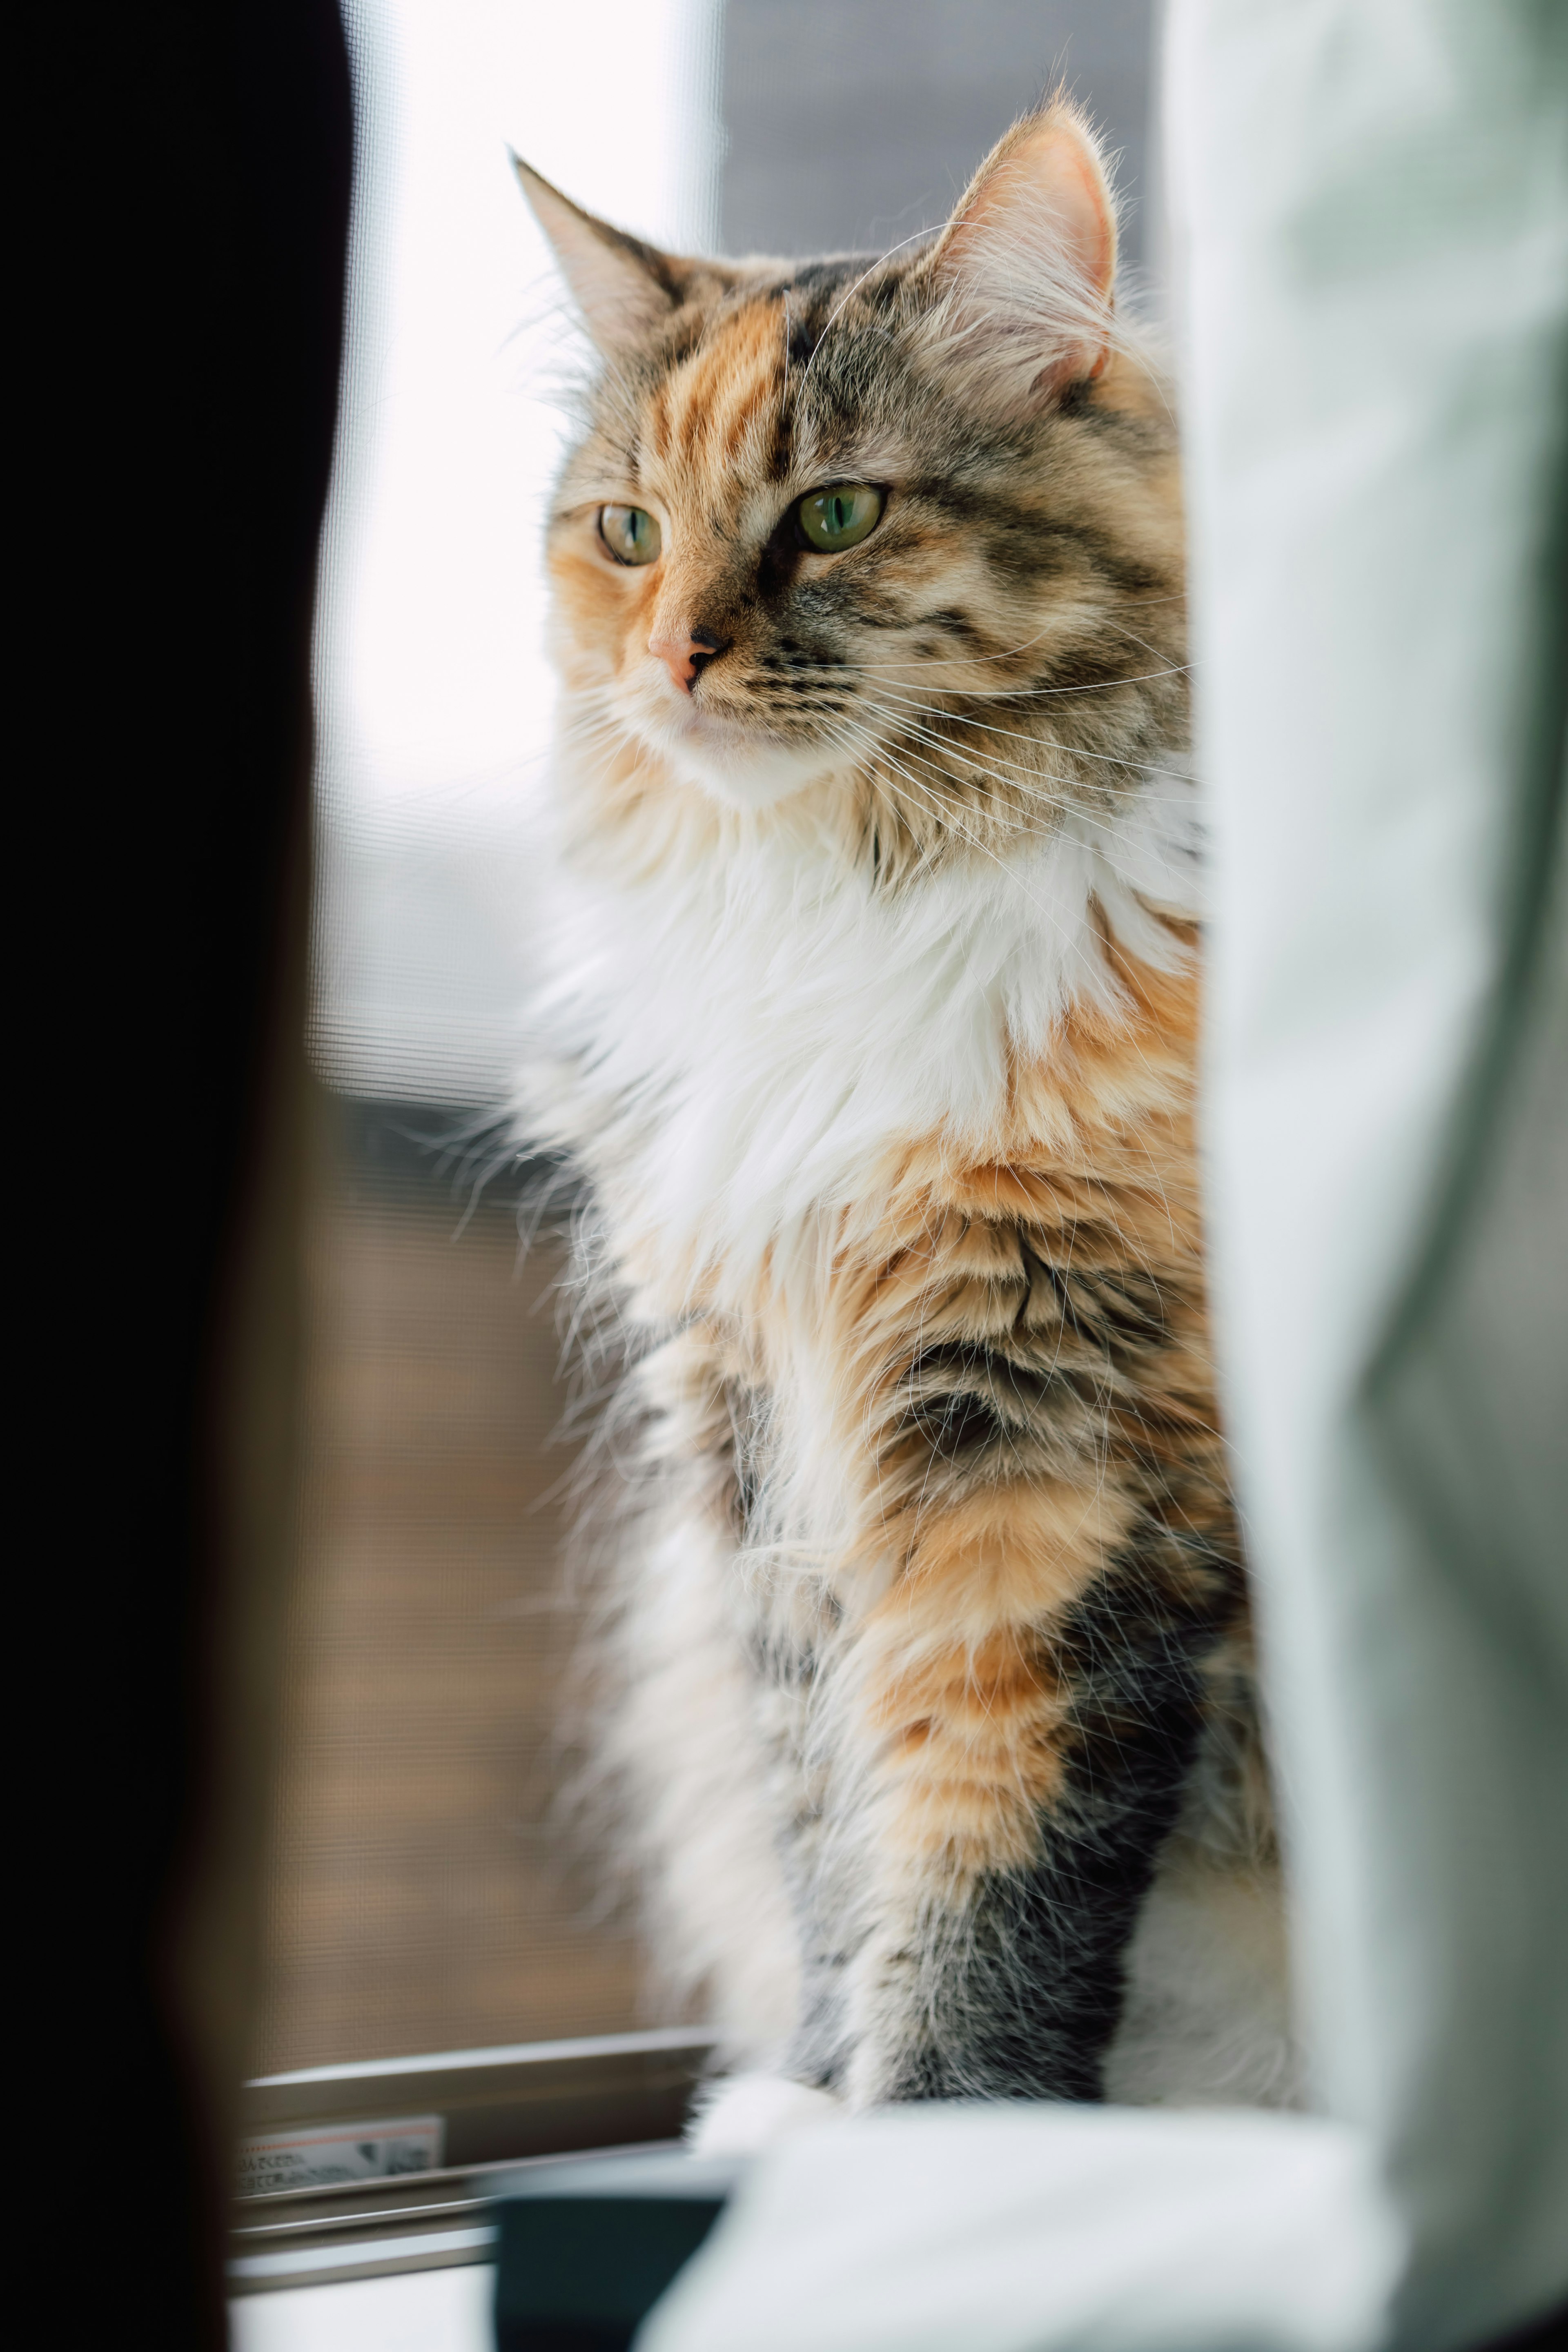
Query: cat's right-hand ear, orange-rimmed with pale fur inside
[1028,265]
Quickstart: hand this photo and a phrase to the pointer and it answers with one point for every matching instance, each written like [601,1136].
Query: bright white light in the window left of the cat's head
[431,679]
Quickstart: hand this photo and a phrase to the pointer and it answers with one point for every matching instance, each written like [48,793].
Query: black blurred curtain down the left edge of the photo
[177,262]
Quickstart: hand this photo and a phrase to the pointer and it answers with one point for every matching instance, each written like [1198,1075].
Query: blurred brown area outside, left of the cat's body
[427,1890]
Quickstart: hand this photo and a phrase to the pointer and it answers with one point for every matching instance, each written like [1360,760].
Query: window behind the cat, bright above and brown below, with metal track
[429,1897]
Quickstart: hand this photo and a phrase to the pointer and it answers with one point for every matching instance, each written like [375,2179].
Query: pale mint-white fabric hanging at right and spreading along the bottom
[1372,229]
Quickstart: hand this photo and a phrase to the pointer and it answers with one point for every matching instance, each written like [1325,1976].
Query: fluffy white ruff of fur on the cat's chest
[749,1036]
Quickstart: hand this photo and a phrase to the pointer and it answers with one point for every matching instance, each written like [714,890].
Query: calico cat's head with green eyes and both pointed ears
[892,533]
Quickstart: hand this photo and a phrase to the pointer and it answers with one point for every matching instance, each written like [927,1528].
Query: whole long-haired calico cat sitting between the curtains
[871,1029]
